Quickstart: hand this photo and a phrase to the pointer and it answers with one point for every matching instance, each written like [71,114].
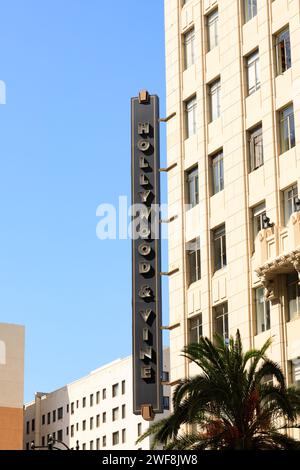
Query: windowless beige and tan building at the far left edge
[11,386]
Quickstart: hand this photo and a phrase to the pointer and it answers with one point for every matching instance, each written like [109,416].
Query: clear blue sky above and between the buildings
[70,67]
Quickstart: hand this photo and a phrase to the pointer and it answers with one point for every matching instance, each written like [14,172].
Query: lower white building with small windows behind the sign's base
[95,410]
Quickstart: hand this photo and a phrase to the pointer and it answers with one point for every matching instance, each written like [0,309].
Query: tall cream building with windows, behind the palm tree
[233,80]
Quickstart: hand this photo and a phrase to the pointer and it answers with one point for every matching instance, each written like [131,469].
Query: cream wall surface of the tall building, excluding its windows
[243,190]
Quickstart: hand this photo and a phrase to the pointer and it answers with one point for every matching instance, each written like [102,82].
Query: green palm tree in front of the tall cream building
[230,404]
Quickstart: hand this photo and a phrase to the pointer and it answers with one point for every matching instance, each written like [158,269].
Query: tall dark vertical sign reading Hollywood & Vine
[146,282]
